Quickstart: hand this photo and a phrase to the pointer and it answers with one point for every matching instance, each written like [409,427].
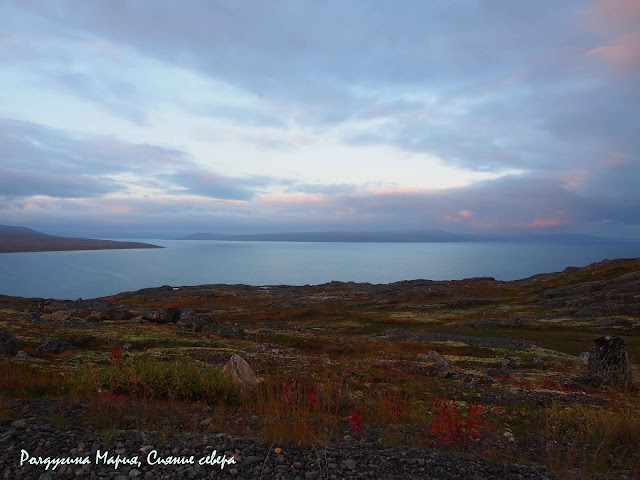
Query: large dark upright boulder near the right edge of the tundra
[609,363]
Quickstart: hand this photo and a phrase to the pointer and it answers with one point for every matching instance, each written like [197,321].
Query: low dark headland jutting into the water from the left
[22,239]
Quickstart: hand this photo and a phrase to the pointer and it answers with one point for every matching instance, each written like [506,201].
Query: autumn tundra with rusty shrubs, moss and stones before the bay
[474,379]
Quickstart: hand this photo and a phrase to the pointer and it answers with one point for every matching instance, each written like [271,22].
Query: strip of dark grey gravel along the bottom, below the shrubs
[345,460]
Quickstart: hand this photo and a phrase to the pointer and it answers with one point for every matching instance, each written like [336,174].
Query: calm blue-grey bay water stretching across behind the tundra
[89,274]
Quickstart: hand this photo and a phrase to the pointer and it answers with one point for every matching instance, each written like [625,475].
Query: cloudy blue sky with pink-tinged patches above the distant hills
[161,117]
